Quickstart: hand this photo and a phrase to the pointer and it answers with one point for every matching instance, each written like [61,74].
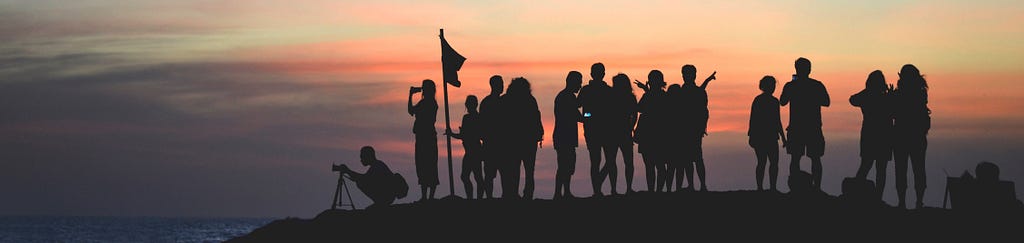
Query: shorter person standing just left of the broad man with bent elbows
[764,132]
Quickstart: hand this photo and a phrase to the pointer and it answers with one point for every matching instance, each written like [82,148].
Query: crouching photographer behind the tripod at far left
[379,184]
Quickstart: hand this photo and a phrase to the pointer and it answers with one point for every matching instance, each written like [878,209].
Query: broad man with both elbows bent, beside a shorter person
[807,96]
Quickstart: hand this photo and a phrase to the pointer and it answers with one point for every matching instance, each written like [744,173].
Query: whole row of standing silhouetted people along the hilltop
[502,133]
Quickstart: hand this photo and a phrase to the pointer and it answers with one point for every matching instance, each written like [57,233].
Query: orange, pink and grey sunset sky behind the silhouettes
[239,108]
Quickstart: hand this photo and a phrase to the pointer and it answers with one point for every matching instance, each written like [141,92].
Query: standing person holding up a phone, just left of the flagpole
[426,138]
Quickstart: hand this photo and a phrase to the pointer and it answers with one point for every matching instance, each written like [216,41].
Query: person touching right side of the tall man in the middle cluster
[623,109]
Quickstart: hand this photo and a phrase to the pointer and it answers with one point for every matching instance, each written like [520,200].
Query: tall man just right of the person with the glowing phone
[593,99]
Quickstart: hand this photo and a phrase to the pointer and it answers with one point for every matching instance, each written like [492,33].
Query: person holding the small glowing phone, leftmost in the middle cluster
[566,137]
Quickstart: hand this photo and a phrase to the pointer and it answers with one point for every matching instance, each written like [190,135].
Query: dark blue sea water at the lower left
[97,229]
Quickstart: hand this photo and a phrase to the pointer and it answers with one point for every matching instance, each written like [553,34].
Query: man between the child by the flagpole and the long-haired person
[492,128]
